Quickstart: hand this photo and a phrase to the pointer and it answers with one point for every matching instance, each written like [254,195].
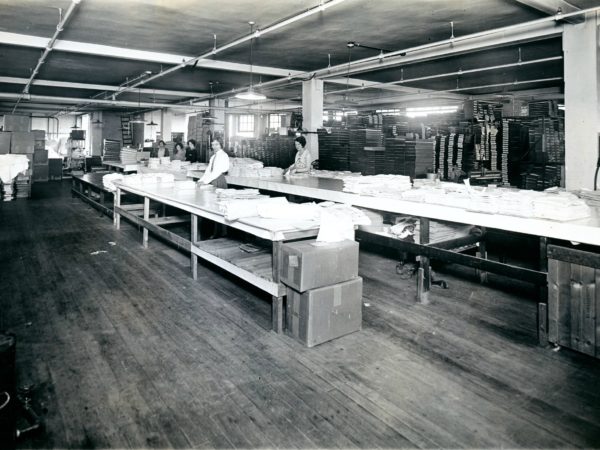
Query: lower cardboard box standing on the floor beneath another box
[320,315]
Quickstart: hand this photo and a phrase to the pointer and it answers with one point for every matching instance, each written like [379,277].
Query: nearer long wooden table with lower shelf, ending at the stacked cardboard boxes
[260,269]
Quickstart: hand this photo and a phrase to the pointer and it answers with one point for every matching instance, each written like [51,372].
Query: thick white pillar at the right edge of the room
[582,102]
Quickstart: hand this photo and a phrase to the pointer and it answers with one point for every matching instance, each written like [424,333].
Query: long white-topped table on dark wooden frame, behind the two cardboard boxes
[583,231]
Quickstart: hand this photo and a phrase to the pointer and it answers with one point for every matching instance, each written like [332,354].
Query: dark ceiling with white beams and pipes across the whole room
[434,48]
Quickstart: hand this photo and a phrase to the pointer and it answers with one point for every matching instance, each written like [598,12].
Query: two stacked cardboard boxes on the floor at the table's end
[324,295]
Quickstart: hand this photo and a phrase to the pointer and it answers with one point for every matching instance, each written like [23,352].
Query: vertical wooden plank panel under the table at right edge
[574,299]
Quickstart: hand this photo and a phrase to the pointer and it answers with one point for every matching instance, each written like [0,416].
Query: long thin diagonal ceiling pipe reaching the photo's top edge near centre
[257,33]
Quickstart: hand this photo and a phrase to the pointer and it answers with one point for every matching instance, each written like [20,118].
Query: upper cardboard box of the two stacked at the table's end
[309,264]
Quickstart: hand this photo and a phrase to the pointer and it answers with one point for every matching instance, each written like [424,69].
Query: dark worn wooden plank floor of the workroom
[125,350]
